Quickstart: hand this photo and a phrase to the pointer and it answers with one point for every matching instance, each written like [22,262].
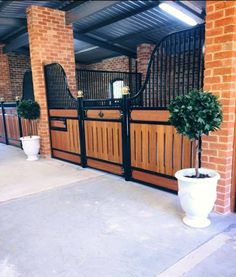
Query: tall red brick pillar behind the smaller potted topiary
[50,40]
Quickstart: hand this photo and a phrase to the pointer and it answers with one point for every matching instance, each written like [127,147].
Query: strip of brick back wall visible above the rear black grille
[114,64]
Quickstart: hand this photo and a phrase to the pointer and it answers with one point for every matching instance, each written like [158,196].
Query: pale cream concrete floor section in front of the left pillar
[19,177]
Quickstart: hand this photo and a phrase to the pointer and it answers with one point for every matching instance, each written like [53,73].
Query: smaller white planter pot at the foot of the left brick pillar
[31,147]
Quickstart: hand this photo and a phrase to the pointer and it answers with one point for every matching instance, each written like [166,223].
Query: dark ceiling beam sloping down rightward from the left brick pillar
[105,44]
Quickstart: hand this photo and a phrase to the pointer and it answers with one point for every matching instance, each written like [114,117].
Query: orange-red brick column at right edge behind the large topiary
[220,79]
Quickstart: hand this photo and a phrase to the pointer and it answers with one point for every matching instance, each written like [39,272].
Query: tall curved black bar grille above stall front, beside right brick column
[176,66]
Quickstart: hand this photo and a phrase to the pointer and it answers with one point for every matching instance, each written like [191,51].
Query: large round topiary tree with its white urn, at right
[193,115]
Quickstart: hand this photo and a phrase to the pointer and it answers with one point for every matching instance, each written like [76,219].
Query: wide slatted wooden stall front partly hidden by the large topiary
[157,151]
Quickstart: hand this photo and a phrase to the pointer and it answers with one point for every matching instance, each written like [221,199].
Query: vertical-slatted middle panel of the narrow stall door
[103,140]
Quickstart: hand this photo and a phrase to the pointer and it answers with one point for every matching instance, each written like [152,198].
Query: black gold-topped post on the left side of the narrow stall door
[83,159]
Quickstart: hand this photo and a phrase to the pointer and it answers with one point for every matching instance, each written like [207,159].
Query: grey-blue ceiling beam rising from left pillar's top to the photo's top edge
[88,8]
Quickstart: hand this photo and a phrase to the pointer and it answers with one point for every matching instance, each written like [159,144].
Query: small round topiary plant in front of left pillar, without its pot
[30,110]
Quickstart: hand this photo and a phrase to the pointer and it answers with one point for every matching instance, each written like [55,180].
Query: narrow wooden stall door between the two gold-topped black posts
[103,136]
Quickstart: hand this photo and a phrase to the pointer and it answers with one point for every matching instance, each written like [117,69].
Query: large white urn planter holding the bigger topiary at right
[197,195]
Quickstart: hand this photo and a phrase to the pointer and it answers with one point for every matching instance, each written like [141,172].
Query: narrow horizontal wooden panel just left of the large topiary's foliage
[149,115]
